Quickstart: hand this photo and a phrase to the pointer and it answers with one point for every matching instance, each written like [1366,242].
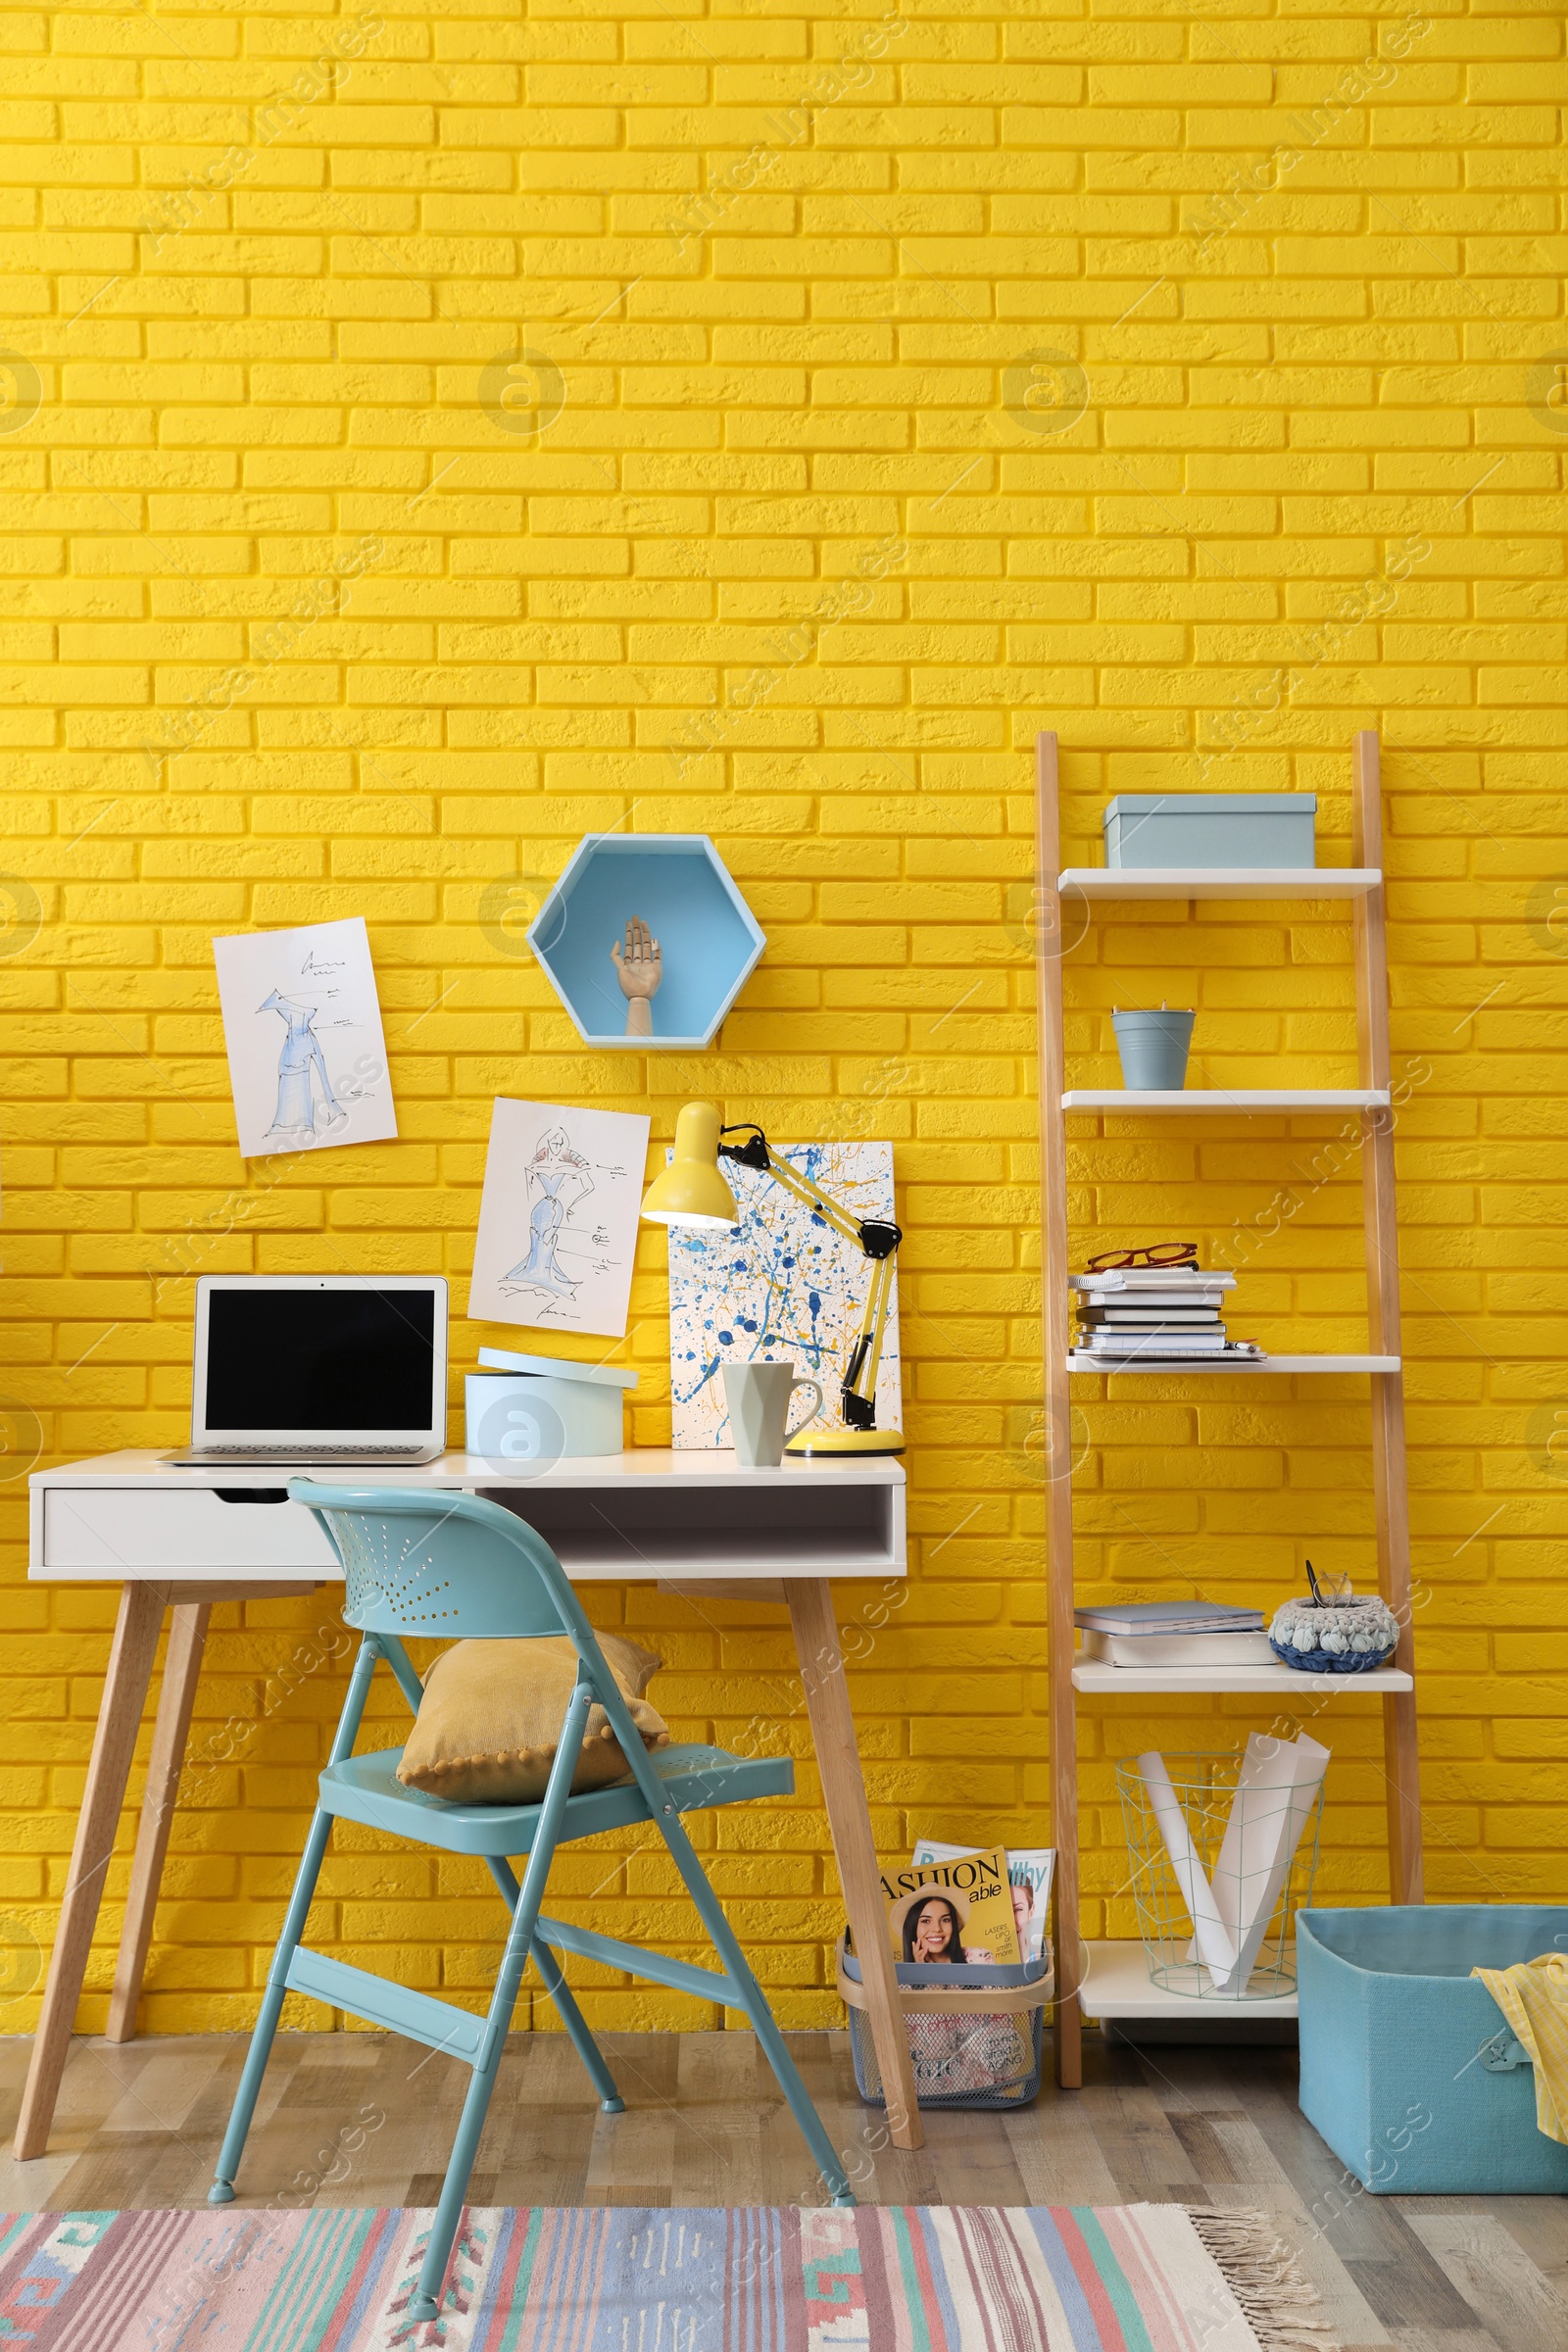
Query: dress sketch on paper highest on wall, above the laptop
[302,1027]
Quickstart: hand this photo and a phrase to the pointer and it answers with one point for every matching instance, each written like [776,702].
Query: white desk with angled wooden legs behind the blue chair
[185,1539]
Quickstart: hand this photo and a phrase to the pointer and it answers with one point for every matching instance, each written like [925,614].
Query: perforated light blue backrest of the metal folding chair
[445,1565]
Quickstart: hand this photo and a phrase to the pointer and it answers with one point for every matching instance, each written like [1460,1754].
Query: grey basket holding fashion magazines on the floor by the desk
[974,2033]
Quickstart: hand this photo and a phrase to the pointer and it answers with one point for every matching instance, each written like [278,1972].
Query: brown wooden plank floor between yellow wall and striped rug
[366,2120]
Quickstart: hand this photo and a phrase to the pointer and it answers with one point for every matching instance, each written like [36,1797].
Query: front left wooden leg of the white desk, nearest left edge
[126,1688]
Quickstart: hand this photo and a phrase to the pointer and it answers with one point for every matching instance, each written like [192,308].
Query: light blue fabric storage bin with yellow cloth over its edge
[1393,2029]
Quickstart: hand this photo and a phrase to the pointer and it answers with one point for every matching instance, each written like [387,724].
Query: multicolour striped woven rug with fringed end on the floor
[648,2280]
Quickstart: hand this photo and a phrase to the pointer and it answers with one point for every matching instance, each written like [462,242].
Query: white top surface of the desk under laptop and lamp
[641,1466]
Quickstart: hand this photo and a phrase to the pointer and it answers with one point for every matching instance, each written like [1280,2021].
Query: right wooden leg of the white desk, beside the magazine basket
[838,1758]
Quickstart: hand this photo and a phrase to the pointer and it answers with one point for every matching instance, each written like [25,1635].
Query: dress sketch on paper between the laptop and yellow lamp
[558,1217]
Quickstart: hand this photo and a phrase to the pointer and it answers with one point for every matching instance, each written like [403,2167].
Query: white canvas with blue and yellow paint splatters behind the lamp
[779,1285]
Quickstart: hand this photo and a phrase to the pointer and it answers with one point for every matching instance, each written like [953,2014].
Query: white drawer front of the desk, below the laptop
[112,1532]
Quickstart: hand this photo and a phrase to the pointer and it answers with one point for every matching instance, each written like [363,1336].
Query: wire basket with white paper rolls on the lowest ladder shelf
[1219,1873]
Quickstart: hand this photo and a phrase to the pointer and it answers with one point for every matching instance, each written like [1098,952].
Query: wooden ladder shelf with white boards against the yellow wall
[1393,1516]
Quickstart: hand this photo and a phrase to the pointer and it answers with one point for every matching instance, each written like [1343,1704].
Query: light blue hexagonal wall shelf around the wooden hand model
[681,888]
